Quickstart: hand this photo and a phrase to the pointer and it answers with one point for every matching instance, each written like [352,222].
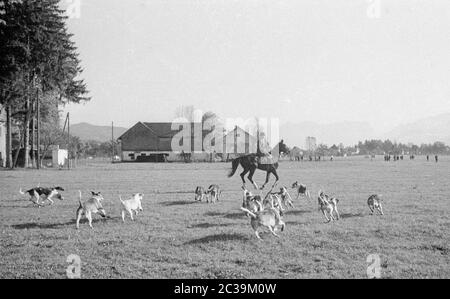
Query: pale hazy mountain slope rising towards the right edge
[426,130]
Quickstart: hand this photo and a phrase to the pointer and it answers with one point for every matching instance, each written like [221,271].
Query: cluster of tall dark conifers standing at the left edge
[39,72]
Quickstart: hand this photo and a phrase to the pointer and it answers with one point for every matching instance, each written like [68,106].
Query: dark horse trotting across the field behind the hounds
[252,162]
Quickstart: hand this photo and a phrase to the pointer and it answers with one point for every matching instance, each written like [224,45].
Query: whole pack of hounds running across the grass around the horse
[264,211]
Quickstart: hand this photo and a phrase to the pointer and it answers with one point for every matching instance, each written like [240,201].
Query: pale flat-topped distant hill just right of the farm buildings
[348,133]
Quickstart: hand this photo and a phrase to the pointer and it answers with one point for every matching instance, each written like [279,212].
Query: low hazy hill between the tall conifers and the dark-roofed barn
[88,132]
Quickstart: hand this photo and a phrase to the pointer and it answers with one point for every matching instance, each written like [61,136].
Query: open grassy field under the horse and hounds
[176,237]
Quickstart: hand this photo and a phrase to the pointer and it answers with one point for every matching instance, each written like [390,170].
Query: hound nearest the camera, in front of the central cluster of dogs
[269,218]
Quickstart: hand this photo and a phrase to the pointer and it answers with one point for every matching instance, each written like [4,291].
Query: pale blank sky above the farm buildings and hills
[325,61]
